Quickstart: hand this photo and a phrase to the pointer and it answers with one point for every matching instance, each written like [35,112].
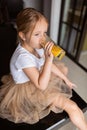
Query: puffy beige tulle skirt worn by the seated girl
[25,103]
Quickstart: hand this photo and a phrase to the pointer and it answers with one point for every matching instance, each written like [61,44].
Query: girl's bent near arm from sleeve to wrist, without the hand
[40,79]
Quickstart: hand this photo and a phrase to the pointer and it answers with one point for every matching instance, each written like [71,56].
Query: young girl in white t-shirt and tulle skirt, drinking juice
[37,83]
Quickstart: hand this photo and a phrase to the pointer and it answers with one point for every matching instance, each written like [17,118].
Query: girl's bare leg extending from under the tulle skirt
[74,112]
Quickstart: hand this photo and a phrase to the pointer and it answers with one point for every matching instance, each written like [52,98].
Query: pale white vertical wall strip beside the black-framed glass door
[55,18]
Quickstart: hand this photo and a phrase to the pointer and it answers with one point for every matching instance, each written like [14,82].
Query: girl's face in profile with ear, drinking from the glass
[38,34]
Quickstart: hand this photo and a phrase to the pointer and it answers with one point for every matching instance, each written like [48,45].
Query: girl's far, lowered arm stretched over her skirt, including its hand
[58,73]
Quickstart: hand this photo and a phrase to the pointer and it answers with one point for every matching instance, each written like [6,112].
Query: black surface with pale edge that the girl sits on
[47,123]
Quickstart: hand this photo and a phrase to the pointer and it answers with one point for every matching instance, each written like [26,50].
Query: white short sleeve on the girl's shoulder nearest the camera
[25,61]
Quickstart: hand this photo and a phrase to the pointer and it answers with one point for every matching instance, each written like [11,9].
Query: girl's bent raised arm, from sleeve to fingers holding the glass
[41,79]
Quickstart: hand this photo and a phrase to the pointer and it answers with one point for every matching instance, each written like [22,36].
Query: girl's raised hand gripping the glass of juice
[48,53]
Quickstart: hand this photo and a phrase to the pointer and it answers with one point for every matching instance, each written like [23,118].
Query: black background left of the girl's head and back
[8,34]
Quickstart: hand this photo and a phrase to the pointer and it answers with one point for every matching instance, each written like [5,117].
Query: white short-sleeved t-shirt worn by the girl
[22,58]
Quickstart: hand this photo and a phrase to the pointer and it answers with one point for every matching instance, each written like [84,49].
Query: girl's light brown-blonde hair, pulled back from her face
[27,19]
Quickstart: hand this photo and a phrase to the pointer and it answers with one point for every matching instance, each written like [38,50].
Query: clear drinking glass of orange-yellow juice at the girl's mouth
[56,50]
